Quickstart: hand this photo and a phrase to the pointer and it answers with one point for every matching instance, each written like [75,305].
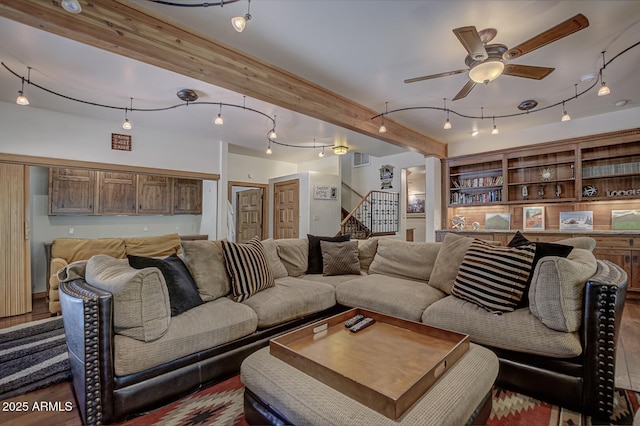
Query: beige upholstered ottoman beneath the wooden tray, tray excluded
[277,393]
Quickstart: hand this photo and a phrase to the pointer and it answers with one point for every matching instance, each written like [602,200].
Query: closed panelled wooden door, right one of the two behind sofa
[286,209]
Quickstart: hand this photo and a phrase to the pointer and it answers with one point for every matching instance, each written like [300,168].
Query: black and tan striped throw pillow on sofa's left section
[247,267]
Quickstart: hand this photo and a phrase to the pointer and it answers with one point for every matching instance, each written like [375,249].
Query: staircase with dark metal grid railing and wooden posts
[377,213]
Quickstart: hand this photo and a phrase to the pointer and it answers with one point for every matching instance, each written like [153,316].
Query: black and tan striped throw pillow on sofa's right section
[494,277]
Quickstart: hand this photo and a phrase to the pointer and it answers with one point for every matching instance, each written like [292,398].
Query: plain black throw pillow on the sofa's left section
[183,292]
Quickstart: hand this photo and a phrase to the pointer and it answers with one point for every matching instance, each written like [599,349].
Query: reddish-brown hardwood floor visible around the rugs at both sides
[627,374]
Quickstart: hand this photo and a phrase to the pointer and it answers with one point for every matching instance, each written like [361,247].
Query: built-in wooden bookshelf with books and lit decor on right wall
[599,173]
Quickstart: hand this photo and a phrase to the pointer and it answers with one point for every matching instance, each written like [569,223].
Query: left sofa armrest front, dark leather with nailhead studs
[88,323]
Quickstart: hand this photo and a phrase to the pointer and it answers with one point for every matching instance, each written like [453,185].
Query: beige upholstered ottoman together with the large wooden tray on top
[375,376]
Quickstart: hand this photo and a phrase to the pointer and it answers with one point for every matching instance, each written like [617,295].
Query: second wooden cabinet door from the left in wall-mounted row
[116,193]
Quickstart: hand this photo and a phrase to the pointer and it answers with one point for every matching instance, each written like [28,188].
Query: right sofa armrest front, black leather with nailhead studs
[605,293]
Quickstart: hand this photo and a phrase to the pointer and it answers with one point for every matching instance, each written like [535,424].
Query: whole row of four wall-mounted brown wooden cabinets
[89,192]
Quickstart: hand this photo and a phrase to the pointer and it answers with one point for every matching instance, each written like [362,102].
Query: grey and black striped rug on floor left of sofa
[32,356]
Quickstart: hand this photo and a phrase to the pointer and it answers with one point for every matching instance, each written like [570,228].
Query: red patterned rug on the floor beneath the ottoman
[222,405]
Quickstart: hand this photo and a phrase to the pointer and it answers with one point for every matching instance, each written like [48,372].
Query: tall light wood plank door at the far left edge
[15,264]
